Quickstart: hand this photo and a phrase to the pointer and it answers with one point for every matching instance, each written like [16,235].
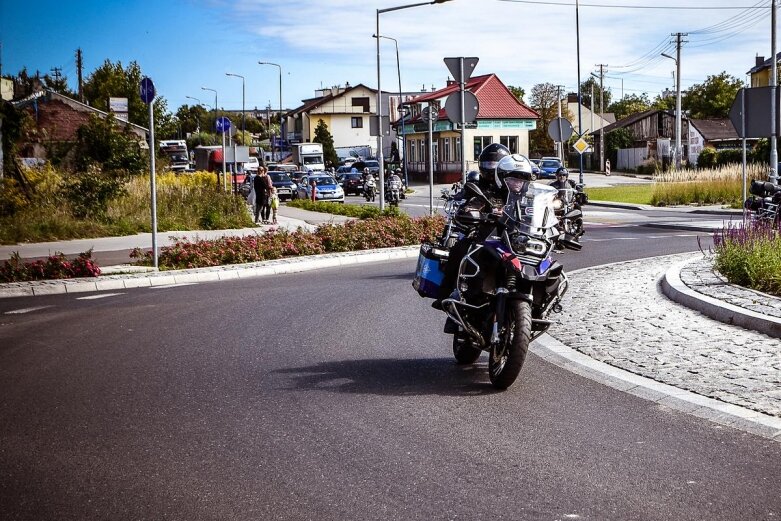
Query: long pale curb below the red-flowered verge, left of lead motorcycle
[195,275]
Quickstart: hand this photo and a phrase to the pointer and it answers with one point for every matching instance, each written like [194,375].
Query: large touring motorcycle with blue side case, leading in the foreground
[507,283]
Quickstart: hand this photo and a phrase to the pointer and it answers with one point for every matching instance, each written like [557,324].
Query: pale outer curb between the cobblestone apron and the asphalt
[552,350]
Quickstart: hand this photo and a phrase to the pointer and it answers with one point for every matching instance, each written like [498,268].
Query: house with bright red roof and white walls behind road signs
[501,118]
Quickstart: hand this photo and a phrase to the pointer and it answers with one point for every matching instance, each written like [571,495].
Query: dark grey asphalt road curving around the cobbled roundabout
[333,395]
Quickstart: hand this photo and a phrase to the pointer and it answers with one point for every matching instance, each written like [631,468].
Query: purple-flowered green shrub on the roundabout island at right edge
[750,256]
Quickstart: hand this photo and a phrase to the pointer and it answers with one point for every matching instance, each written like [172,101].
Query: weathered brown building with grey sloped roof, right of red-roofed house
[652,132]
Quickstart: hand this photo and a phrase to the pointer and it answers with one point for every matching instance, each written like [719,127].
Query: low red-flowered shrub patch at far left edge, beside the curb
[54,267]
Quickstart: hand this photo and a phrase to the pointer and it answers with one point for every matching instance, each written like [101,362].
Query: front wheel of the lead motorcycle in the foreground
[506,358]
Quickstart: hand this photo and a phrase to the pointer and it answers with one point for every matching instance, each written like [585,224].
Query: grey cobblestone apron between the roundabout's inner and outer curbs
[633,326]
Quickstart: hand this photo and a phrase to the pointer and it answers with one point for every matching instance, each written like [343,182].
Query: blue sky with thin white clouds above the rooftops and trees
[184,45]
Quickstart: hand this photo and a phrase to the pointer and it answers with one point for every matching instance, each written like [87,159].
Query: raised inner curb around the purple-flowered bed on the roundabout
[676,290]
